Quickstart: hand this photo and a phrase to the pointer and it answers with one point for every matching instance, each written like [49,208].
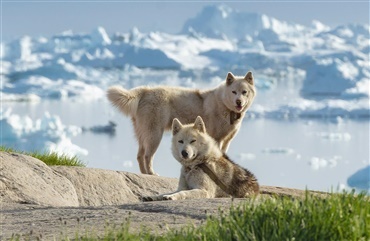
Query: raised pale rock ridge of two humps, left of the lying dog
[24,179]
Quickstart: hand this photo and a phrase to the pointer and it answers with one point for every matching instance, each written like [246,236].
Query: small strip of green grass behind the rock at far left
[51,159]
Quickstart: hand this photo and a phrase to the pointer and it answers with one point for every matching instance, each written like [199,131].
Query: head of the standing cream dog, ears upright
[239,92]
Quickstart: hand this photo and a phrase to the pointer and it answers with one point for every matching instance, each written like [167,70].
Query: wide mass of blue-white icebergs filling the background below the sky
[333,63]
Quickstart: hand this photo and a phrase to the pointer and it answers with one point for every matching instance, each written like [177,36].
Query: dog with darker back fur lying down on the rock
[193,147]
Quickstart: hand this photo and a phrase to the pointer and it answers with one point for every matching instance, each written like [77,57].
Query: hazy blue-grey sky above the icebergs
[48,17]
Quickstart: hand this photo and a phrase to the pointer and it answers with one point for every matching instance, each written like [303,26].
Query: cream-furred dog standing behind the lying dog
[153,109]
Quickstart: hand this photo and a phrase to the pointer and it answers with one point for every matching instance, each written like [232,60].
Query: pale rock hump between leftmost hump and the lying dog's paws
[96,187]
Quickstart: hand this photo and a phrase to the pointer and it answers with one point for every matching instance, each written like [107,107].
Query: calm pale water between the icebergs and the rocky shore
[297,154]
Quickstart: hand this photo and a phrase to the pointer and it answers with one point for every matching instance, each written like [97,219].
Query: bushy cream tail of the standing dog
[124,100]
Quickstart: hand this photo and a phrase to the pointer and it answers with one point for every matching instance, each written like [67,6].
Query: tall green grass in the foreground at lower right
[344,216]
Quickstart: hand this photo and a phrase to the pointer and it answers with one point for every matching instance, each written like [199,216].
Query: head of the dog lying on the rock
[190,143]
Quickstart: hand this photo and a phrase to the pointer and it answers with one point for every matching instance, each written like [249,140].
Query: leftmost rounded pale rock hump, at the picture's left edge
[24,179]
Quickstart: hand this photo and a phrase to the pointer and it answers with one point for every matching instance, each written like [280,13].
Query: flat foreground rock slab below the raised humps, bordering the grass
[48,223]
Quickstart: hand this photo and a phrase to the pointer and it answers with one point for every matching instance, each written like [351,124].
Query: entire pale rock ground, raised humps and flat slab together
[55,203]
